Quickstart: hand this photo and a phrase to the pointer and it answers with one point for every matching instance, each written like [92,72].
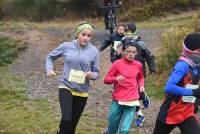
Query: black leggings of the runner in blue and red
[189,126]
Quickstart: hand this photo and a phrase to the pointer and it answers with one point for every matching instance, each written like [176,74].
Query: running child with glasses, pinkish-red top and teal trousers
[127,76]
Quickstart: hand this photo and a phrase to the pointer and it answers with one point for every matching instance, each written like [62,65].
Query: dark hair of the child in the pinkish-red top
[128,41]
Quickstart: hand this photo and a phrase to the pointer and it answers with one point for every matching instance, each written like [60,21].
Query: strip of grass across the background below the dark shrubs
[98,23]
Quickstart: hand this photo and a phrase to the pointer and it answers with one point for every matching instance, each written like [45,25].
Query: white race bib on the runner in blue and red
[190,99]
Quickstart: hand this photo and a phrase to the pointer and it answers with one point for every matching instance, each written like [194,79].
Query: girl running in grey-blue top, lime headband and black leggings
[81,64]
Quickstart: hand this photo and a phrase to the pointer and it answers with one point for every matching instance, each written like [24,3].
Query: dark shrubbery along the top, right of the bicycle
[144,9]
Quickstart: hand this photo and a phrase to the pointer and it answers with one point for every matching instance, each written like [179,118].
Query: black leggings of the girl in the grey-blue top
[71,110]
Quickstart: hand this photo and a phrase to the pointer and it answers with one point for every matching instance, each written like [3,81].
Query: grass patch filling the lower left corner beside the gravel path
[20,115]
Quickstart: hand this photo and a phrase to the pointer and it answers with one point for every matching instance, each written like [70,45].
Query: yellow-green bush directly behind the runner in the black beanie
[173,41]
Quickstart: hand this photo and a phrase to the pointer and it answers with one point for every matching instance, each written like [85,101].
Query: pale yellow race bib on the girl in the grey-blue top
[77,76]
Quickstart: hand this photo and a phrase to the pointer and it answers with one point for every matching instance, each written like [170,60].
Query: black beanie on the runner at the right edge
[192,41]
